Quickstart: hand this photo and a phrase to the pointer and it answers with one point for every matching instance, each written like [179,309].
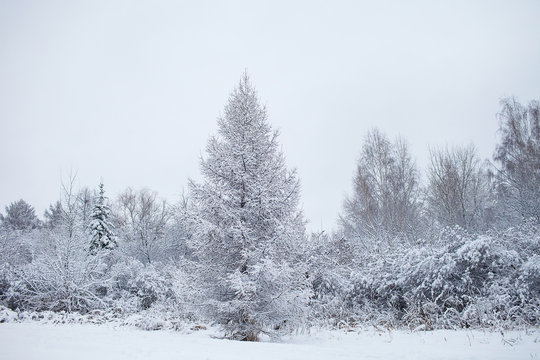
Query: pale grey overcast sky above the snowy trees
[129,92]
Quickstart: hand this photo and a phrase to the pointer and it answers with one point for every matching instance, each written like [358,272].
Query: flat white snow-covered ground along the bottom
[79,342]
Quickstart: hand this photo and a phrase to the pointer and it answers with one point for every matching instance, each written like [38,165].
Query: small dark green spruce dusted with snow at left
[102,236]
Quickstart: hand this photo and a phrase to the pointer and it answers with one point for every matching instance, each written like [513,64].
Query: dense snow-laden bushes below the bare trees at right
[460,280]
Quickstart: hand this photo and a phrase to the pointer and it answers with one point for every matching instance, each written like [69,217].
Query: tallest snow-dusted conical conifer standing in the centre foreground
[246,224]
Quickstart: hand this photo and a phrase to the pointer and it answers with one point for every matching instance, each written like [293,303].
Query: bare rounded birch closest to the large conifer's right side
[384,206]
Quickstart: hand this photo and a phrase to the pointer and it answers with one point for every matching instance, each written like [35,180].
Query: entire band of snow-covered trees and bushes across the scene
[461,250]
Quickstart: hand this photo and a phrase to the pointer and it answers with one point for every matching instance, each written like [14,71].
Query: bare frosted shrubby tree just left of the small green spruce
[62,274]
